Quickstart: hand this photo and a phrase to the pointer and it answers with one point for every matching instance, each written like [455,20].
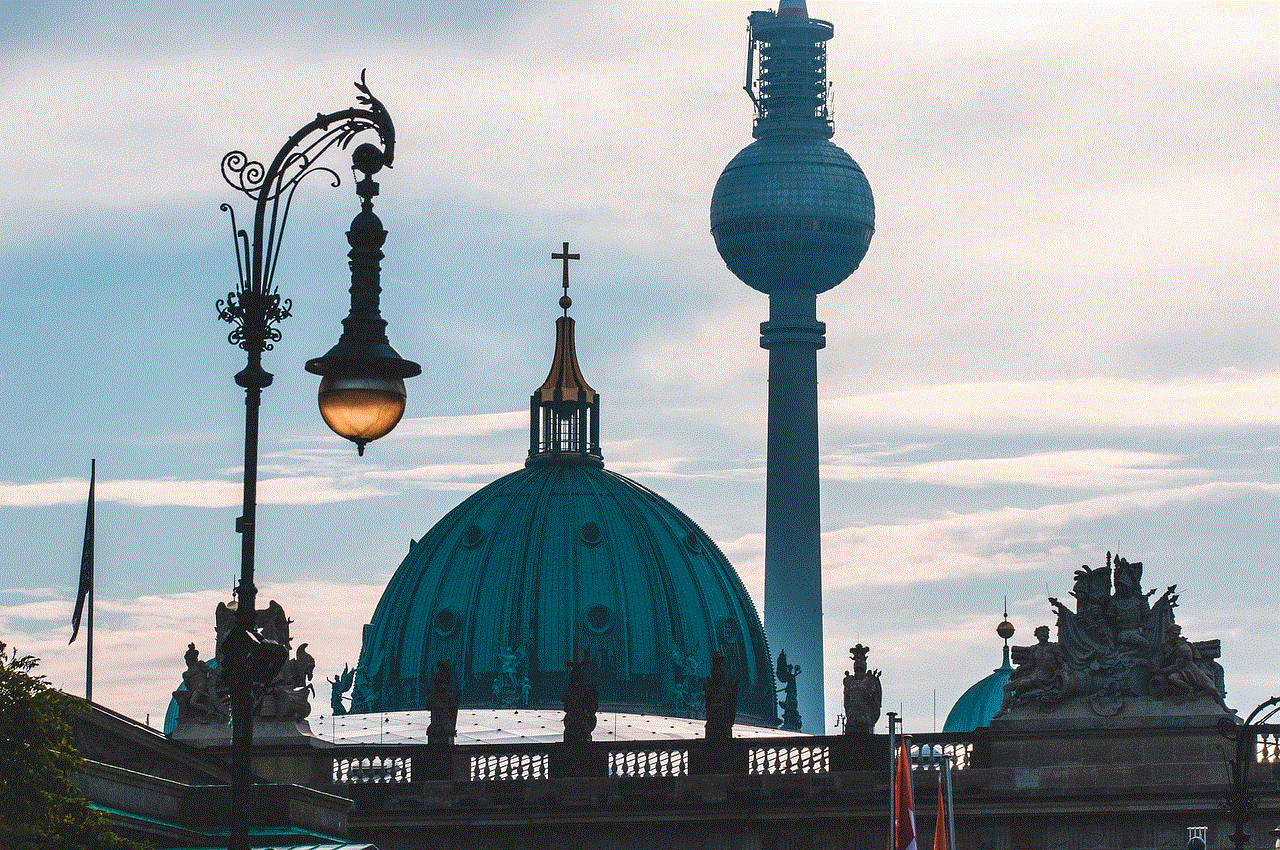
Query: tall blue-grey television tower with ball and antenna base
[793,216]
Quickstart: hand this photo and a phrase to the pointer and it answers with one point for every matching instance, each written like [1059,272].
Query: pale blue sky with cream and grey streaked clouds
[1063,340]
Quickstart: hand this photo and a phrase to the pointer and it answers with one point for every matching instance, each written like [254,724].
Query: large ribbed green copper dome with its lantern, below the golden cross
[565,560]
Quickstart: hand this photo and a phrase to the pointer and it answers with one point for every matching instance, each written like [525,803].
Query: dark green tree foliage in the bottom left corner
[39,805]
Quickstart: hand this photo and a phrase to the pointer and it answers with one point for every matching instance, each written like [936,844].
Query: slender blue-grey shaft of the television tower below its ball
[793,543]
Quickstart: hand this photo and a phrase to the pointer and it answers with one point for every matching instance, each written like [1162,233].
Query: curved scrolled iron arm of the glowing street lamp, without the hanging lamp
[255,308]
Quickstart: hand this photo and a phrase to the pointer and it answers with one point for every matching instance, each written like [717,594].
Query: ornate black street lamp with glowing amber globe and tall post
[363,386]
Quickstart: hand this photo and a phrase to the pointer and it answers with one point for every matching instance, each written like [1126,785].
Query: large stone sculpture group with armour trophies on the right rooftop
[1117,652]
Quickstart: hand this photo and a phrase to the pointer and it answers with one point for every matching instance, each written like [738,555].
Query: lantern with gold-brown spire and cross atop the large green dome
[564,413]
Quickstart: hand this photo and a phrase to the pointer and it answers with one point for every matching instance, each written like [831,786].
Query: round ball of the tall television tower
[793,213]
